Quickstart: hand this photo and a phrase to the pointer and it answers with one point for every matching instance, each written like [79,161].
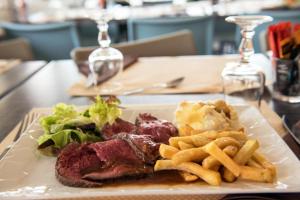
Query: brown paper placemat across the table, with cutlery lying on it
[202,74]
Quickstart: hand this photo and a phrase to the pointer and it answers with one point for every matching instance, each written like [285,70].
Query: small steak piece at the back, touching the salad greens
[120,125]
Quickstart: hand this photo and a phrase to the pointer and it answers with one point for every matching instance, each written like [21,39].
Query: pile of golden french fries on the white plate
[214,156]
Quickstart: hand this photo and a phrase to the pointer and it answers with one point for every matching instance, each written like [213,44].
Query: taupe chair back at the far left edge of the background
[16,49]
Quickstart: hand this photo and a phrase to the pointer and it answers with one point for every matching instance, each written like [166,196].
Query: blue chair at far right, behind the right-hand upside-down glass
[278,16]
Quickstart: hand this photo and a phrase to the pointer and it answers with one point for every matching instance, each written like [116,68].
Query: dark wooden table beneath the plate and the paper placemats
[49,86]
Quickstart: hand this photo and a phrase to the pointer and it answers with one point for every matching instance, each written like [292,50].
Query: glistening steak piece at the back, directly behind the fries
[160,130]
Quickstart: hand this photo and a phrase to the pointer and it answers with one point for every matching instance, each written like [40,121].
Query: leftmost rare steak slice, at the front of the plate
[72,160]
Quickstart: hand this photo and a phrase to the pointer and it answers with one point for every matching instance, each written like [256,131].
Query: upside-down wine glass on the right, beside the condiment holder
[243,78]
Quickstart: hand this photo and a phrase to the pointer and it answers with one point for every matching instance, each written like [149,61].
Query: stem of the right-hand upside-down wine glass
[246,48]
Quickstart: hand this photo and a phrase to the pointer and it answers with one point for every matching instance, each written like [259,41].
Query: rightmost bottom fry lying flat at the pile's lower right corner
[256,174]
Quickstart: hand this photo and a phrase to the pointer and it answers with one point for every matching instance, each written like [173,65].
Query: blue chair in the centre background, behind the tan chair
[201,27]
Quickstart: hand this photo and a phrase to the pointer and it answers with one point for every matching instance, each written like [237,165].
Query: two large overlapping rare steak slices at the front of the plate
[84,165]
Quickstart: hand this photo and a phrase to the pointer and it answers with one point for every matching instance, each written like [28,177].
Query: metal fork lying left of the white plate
[24,124]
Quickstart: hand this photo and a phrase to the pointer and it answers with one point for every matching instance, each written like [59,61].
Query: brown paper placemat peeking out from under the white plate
[273,119]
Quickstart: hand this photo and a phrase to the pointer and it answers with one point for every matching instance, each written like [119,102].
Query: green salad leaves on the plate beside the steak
[66,124]
